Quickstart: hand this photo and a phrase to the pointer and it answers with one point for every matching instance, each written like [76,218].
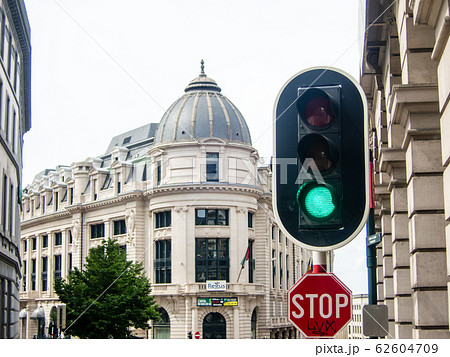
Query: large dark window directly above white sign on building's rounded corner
[211,259]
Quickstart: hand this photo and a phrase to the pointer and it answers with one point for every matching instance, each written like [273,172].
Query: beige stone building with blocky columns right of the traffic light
[406,77]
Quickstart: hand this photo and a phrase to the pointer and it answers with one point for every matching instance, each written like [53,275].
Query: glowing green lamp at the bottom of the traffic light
[318,201]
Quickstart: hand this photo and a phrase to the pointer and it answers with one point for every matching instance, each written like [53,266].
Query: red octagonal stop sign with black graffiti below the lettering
[319,305]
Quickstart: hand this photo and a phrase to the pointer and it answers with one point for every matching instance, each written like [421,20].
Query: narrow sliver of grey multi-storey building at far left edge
[15,120]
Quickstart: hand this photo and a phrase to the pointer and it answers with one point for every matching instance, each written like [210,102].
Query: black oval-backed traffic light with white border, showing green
[321,181]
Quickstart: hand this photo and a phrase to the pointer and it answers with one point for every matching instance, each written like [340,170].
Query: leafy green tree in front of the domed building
[108,297]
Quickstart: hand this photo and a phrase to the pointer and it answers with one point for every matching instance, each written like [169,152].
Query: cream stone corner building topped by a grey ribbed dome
[188,199]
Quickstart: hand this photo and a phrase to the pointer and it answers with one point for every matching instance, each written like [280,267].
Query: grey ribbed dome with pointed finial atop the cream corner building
[202,112]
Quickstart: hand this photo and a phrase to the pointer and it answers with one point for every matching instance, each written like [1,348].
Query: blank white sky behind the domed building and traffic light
[103,67]
